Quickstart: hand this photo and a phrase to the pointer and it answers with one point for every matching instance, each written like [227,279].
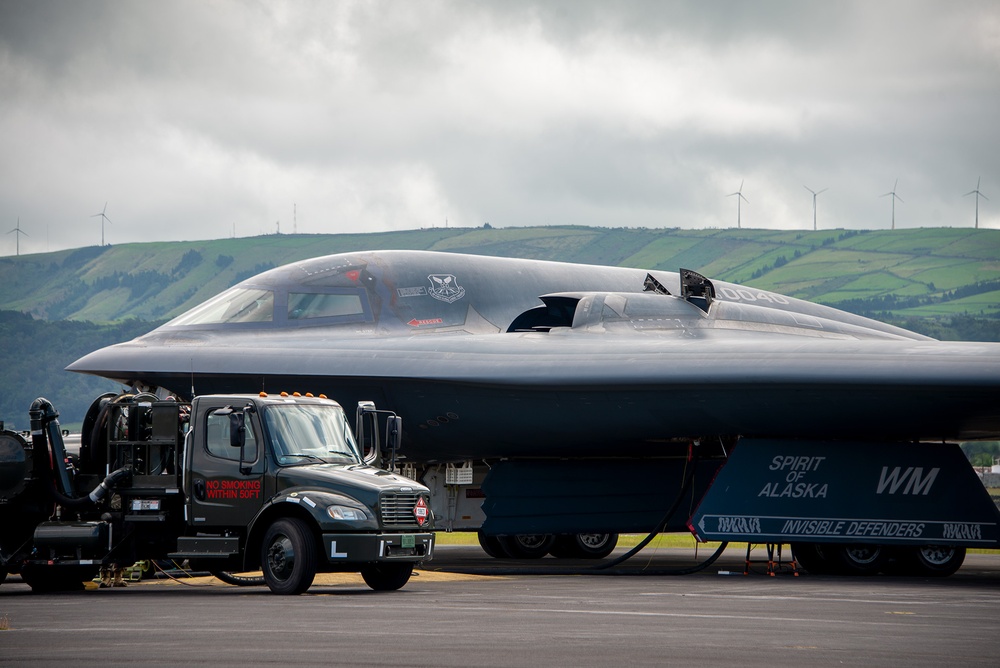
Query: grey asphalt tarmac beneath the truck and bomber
[465,609]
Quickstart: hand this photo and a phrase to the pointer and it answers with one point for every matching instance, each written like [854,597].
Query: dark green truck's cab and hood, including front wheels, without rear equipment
[269,478]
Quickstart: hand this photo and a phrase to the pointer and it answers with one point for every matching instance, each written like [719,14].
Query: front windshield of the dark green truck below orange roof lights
[310,433]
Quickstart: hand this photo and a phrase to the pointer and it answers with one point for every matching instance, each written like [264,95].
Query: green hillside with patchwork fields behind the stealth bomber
[941,282]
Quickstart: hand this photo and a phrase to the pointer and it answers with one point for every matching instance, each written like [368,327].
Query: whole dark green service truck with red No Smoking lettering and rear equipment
[230,483]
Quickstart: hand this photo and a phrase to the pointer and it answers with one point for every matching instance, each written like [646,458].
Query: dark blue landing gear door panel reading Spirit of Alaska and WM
[848,492]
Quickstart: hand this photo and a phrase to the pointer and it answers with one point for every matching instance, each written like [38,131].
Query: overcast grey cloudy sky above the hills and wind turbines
[198,120]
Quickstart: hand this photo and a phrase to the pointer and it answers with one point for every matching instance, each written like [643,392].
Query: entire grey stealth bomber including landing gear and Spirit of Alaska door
[598,398]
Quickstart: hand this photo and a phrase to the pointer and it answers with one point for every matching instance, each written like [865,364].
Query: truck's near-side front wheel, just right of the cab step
[288,557]
